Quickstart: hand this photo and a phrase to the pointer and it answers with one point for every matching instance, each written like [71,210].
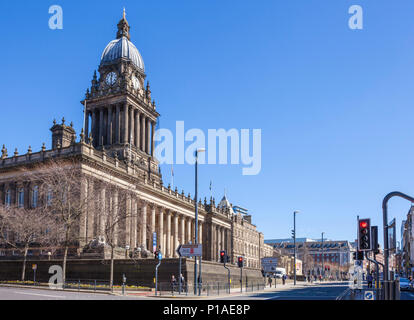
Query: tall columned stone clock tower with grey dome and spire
[120,115]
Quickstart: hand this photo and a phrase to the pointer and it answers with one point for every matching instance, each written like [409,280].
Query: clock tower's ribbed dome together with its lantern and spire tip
[122,47]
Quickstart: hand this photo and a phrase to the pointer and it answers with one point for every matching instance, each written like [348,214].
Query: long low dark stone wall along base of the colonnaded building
[138,272]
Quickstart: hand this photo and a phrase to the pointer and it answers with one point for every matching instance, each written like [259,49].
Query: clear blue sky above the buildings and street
[335,105]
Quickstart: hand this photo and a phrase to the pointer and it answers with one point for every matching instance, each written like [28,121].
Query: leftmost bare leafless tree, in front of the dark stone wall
[22,228]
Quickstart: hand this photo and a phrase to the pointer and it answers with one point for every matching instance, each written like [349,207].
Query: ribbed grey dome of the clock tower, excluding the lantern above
[122,48]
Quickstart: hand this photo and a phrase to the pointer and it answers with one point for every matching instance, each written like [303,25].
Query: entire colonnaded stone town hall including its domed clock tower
[118,141]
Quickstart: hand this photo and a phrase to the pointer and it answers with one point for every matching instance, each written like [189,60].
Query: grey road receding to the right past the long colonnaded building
[324,291]
